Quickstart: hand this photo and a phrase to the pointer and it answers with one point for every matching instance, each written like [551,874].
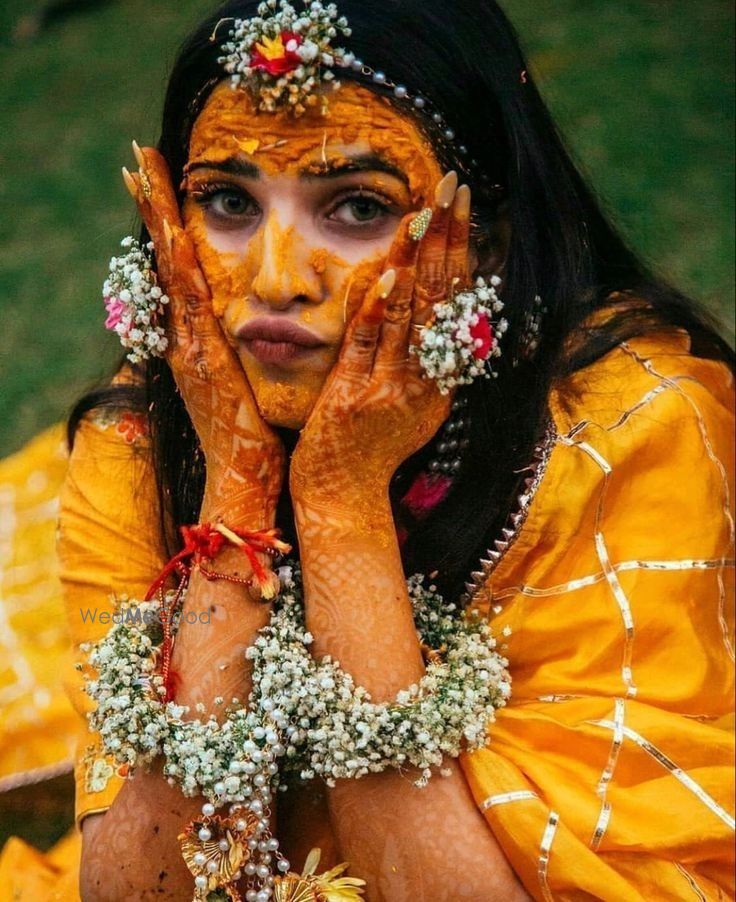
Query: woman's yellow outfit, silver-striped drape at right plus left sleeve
[610,773]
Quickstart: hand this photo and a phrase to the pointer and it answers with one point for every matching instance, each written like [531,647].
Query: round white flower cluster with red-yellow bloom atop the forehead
[285,57]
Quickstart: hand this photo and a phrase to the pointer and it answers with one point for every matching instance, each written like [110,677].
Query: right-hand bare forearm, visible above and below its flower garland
[408,843]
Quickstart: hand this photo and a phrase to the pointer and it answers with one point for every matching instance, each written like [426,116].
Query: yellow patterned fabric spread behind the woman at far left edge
[37,724]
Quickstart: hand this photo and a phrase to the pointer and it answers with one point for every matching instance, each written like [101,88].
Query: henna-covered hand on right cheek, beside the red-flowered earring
[377,408]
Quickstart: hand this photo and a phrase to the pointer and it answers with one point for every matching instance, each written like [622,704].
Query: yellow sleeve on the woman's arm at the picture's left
[108,546]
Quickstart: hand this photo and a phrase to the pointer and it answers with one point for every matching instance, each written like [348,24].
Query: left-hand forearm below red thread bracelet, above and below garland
[132,850]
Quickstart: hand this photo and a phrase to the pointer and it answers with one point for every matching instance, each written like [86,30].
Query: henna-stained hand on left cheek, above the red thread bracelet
[245,458]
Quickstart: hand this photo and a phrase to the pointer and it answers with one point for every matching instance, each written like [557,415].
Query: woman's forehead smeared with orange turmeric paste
[358,125]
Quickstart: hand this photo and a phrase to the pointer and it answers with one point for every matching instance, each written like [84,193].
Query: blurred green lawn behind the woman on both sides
[644,92]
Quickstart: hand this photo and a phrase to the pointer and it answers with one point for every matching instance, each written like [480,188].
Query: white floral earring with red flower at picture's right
[462,338]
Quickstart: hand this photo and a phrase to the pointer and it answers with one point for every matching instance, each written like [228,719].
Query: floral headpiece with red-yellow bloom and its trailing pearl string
[287,60]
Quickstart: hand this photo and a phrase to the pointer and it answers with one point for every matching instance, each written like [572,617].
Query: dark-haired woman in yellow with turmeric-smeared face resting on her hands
[309,210]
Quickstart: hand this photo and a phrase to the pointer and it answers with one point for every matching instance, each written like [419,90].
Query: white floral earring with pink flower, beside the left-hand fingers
[135,303]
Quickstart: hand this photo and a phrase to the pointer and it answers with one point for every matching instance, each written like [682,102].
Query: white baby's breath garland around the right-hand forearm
[342,733]
